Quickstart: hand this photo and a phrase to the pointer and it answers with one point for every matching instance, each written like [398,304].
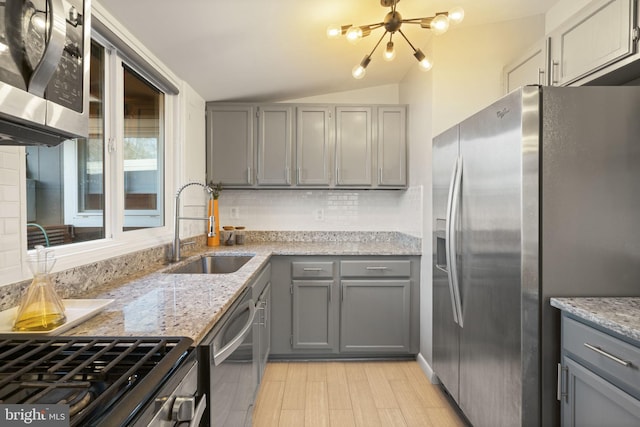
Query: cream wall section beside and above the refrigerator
[467,75]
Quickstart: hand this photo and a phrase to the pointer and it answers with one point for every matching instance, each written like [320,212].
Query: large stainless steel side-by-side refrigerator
[536,196]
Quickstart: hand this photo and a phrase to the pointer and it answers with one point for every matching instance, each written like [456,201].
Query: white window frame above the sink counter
[116,240]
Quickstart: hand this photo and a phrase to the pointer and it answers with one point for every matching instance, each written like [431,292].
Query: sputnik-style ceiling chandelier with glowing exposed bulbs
[438,24]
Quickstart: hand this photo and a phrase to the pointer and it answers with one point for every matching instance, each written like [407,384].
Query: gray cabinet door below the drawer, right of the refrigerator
[591,401]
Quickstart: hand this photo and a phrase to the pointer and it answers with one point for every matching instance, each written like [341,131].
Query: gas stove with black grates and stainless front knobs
[106,381]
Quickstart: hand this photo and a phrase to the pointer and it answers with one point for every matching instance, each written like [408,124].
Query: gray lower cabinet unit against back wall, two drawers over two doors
[351,306]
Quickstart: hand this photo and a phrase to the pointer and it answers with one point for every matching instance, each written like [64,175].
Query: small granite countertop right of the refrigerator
[617,314]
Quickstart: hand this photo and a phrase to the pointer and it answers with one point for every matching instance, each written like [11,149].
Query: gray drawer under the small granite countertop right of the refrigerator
[613,358]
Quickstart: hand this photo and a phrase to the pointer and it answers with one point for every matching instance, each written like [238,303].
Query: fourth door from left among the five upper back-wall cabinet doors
[353,146]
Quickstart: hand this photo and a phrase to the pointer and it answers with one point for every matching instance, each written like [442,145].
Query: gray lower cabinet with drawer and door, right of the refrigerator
[599,381]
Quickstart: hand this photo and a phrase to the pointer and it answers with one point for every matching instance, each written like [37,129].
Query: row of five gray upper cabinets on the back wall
[307,146]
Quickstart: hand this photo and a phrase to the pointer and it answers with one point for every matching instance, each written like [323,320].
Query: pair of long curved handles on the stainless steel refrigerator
[451,240]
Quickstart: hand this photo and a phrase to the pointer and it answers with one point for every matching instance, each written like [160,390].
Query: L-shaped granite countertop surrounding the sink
[161,304]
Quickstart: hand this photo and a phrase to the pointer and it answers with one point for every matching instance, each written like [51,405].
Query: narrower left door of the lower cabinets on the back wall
[314,315]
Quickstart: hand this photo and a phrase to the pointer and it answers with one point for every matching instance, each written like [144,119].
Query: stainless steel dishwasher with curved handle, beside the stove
[229,375]
